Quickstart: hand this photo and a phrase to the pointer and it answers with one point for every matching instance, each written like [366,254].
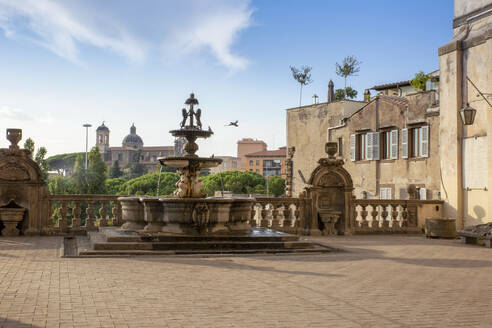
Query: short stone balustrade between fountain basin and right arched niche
[283,214]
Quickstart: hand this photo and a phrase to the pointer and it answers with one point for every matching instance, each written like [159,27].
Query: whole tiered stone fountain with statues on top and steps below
[189,222]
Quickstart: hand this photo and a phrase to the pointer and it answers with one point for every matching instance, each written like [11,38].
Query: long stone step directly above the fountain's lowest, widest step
[201,245]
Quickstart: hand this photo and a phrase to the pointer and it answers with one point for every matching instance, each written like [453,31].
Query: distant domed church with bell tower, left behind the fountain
[133,150]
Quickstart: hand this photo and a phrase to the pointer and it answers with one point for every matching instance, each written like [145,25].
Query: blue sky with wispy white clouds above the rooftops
[66,63]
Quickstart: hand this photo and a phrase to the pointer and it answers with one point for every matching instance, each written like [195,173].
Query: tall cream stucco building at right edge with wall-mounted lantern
[466,152]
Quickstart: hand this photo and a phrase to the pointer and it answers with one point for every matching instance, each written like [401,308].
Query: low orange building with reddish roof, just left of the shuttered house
[267,162]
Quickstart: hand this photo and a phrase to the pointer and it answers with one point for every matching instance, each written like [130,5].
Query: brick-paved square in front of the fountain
[379,281]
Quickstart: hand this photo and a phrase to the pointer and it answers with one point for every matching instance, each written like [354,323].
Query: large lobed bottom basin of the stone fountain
[187,216]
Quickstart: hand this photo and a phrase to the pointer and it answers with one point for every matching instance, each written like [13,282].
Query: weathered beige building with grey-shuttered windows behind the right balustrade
[388,143]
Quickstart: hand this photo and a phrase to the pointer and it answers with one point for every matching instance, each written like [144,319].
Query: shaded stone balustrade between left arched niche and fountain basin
[79,213]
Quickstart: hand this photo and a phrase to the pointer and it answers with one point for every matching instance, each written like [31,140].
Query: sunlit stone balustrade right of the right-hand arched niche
[392,215]
